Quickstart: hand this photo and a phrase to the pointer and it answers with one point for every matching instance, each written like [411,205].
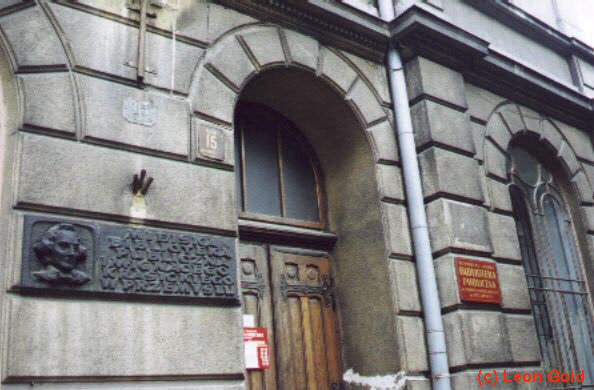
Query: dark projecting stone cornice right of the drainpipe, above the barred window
[419,32]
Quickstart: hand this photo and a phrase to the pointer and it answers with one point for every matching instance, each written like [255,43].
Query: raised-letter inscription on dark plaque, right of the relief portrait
[156,262]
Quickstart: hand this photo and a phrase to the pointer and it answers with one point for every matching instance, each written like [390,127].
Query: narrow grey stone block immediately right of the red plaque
[514,289]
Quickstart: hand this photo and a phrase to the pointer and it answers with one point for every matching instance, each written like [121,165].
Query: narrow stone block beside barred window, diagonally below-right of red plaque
[522,338]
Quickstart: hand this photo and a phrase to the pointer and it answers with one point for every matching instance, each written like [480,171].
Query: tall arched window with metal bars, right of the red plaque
[553,265]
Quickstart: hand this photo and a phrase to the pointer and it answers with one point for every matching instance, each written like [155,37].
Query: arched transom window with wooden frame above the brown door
[278,177]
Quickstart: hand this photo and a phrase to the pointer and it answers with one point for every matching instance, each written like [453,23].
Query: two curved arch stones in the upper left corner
[48,92]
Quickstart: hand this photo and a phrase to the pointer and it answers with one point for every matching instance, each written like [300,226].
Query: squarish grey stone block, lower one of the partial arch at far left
[49,102]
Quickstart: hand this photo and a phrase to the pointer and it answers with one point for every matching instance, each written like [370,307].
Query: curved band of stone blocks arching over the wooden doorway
[232,61]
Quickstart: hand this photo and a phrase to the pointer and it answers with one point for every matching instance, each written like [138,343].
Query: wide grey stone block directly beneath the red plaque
[476,337]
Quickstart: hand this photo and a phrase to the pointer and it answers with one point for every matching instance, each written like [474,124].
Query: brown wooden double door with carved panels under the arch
[291,293]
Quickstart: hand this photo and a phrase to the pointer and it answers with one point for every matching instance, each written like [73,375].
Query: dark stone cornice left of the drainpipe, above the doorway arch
[332,23]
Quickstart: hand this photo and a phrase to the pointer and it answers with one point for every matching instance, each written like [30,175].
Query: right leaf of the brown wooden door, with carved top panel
[308,356]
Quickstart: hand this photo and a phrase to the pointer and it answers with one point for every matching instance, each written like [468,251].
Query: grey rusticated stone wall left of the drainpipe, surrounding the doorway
[71,153]
